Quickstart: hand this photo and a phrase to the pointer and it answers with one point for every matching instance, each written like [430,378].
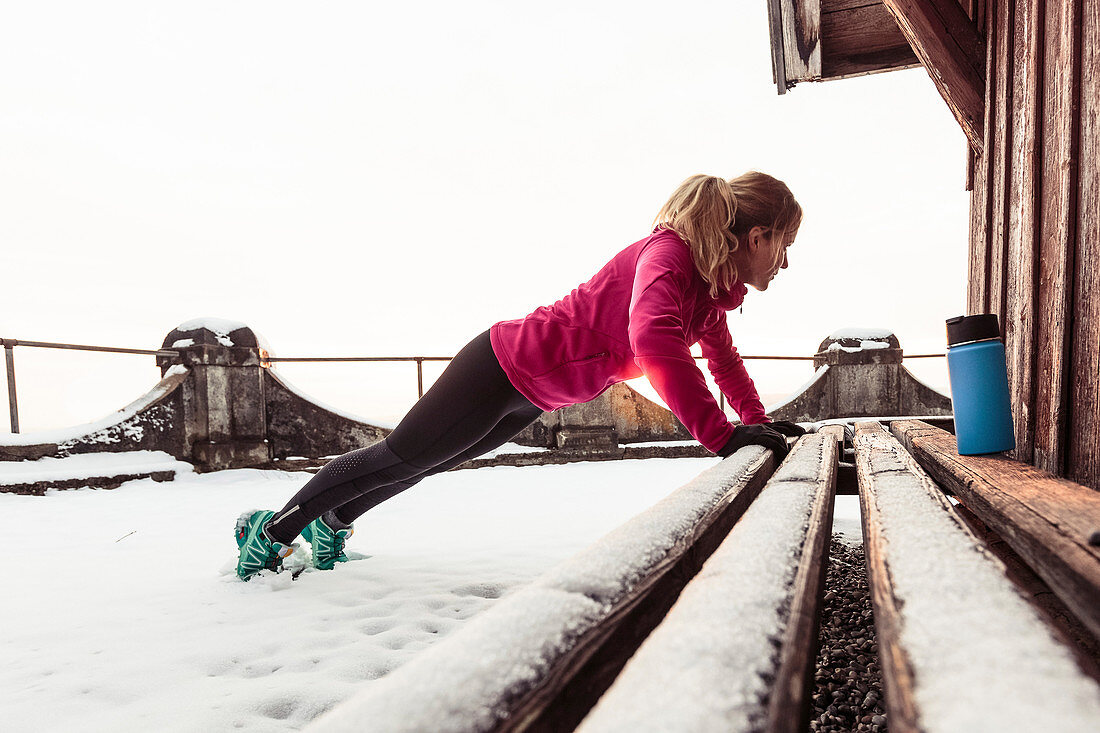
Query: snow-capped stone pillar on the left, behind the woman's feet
[225,423]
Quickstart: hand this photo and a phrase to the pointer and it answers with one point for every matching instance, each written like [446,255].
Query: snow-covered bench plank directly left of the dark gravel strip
[747,619]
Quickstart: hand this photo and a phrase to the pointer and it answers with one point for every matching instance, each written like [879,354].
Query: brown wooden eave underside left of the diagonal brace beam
[863,39]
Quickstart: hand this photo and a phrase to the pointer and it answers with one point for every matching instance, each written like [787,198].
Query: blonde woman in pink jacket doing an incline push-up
[639,315]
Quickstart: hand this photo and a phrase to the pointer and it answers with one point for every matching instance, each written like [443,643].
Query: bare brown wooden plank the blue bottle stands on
[1047,520]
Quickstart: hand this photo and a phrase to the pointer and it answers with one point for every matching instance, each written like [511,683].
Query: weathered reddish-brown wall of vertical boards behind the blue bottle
[1036,223]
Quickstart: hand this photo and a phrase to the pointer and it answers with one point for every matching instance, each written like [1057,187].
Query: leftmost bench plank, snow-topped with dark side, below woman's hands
[538,660]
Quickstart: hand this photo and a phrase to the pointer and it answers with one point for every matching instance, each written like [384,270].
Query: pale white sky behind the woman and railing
[366,179]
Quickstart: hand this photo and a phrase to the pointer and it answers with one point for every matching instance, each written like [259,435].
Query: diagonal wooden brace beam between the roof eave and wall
[953,52]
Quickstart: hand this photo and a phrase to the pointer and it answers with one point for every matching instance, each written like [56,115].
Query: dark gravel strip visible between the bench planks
[849,682]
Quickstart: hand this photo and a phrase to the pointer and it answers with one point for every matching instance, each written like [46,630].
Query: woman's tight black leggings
[471,410]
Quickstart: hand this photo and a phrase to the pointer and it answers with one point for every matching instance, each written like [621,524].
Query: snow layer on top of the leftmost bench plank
[463,684]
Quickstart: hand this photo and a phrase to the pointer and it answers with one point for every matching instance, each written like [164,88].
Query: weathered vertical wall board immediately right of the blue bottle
[1019,320]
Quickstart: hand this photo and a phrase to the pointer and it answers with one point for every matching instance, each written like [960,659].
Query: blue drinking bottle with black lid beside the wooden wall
[980,386]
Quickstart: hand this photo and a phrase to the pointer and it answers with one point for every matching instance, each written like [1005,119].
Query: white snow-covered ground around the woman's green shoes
[123,612]
